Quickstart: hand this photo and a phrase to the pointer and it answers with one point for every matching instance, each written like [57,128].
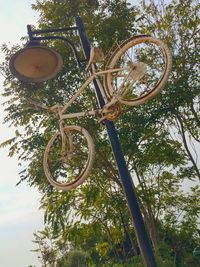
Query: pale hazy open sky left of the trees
[19,205]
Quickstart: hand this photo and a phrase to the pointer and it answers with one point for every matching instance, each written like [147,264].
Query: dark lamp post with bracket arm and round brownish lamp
[45,66]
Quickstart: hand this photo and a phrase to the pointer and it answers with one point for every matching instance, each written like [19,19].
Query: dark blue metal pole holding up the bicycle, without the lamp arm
[127,183]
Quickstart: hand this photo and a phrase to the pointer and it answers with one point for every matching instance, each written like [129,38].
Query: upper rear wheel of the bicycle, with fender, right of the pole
[142,64]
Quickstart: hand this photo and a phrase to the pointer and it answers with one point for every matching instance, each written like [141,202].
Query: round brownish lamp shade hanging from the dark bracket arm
[35,64]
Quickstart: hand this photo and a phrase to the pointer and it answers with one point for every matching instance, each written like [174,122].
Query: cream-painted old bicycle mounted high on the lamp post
[136,71]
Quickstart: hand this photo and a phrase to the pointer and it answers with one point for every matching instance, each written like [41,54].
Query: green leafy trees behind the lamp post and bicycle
[92,223]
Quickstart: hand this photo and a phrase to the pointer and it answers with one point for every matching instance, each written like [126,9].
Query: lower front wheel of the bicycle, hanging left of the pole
[67,166]
